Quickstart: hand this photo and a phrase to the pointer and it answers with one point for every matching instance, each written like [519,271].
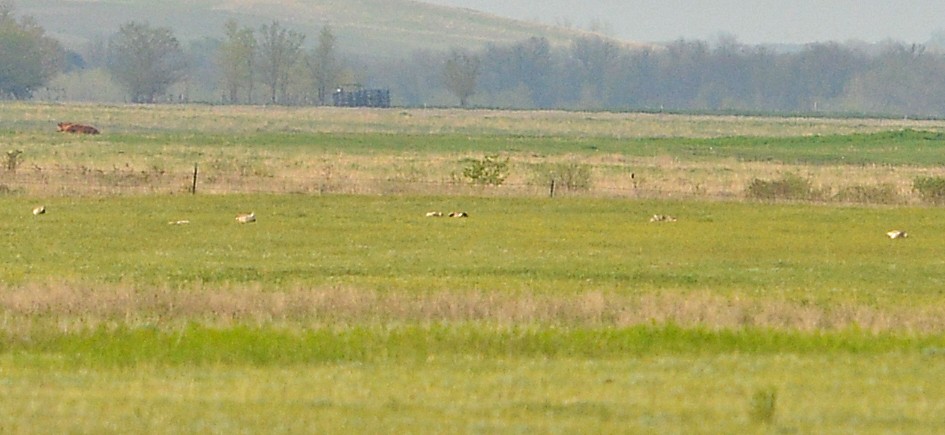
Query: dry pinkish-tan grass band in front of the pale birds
[72,307]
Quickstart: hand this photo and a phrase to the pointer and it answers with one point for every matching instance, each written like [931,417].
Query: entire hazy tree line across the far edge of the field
[272,64]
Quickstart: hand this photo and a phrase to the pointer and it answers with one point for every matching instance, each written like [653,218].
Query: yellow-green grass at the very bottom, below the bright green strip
[662,393]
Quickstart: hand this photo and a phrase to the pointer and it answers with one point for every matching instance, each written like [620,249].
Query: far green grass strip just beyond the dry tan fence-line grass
[900,148]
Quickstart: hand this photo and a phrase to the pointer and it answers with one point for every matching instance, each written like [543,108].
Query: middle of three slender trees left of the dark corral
[279,50]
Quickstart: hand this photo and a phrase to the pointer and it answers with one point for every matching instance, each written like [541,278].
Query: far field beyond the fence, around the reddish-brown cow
[302,150]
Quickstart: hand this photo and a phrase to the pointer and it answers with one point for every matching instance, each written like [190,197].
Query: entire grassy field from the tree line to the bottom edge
[357,313]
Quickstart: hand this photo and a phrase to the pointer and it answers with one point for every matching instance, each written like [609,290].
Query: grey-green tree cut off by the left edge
[28,58]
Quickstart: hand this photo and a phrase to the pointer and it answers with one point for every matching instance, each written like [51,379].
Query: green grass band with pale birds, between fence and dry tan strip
[798,252]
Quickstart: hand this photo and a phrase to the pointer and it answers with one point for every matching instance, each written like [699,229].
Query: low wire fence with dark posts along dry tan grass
[64,181]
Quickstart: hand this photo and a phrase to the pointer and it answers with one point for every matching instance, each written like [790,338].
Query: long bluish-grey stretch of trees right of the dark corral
[597,73]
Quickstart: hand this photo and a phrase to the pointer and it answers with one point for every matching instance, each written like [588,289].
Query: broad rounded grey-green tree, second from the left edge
[145,60]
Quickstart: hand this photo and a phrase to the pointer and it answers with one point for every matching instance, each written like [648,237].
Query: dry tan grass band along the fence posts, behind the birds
[612,175]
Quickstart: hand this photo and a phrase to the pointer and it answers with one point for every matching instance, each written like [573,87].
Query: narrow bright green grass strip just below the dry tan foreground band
[272,346]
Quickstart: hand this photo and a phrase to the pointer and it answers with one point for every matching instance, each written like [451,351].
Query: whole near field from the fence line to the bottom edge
[354,313]
